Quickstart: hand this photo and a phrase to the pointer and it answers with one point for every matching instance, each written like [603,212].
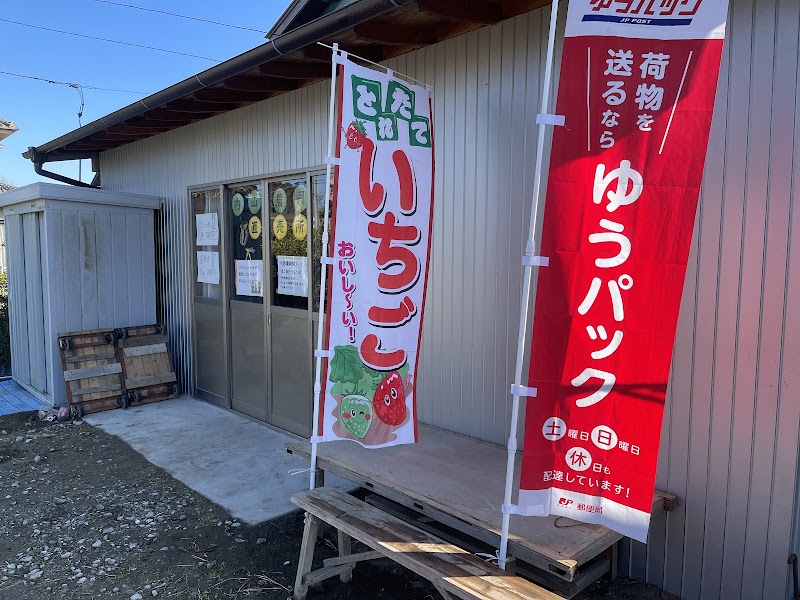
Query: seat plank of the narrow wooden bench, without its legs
[447,566]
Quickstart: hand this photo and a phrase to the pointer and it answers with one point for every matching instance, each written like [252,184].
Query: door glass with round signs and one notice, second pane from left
[247,243]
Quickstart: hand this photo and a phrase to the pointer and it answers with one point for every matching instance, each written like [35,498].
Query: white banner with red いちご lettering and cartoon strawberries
[380,252]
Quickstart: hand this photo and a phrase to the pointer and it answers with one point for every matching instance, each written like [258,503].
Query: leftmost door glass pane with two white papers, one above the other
[205,239]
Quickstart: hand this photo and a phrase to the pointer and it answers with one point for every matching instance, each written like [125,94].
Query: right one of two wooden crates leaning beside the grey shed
[148,373]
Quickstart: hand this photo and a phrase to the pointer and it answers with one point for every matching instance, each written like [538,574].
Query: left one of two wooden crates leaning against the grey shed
[92,372]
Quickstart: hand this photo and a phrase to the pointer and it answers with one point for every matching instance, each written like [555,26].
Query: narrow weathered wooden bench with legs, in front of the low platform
[453,571]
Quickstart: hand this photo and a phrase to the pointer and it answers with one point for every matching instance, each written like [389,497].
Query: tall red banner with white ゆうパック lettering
[637,89]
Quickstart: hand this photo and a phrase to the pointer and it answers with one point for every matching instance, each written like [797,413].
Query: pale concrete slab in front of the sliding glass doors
[231,460]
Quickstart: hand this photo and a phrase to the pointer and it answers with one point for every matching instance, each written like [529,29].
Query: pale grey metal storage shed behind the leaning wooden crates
[77,259]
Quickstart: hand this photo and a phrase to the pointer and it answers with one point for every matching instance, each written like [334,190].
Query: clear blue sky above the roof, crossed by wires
[45,111]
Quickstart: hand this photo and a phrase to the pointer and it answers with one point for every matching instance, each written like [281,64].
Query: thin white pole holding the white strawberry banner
[324,272]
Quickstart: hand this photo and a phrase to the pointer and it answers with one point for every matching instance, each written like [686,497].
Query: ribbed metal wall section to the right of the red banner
[730,439]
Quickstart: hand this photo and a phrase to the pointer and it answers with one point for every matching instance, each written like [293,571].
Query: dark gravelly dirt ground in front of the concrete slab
[82,515]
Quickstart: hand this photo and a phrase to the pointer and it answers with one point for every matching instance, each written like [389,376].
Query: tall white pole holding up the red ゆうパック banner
[530,250]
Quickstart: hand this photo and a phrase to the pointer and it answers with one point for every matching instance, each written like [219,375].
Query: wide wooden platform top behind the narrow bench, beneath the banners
[462,485]
